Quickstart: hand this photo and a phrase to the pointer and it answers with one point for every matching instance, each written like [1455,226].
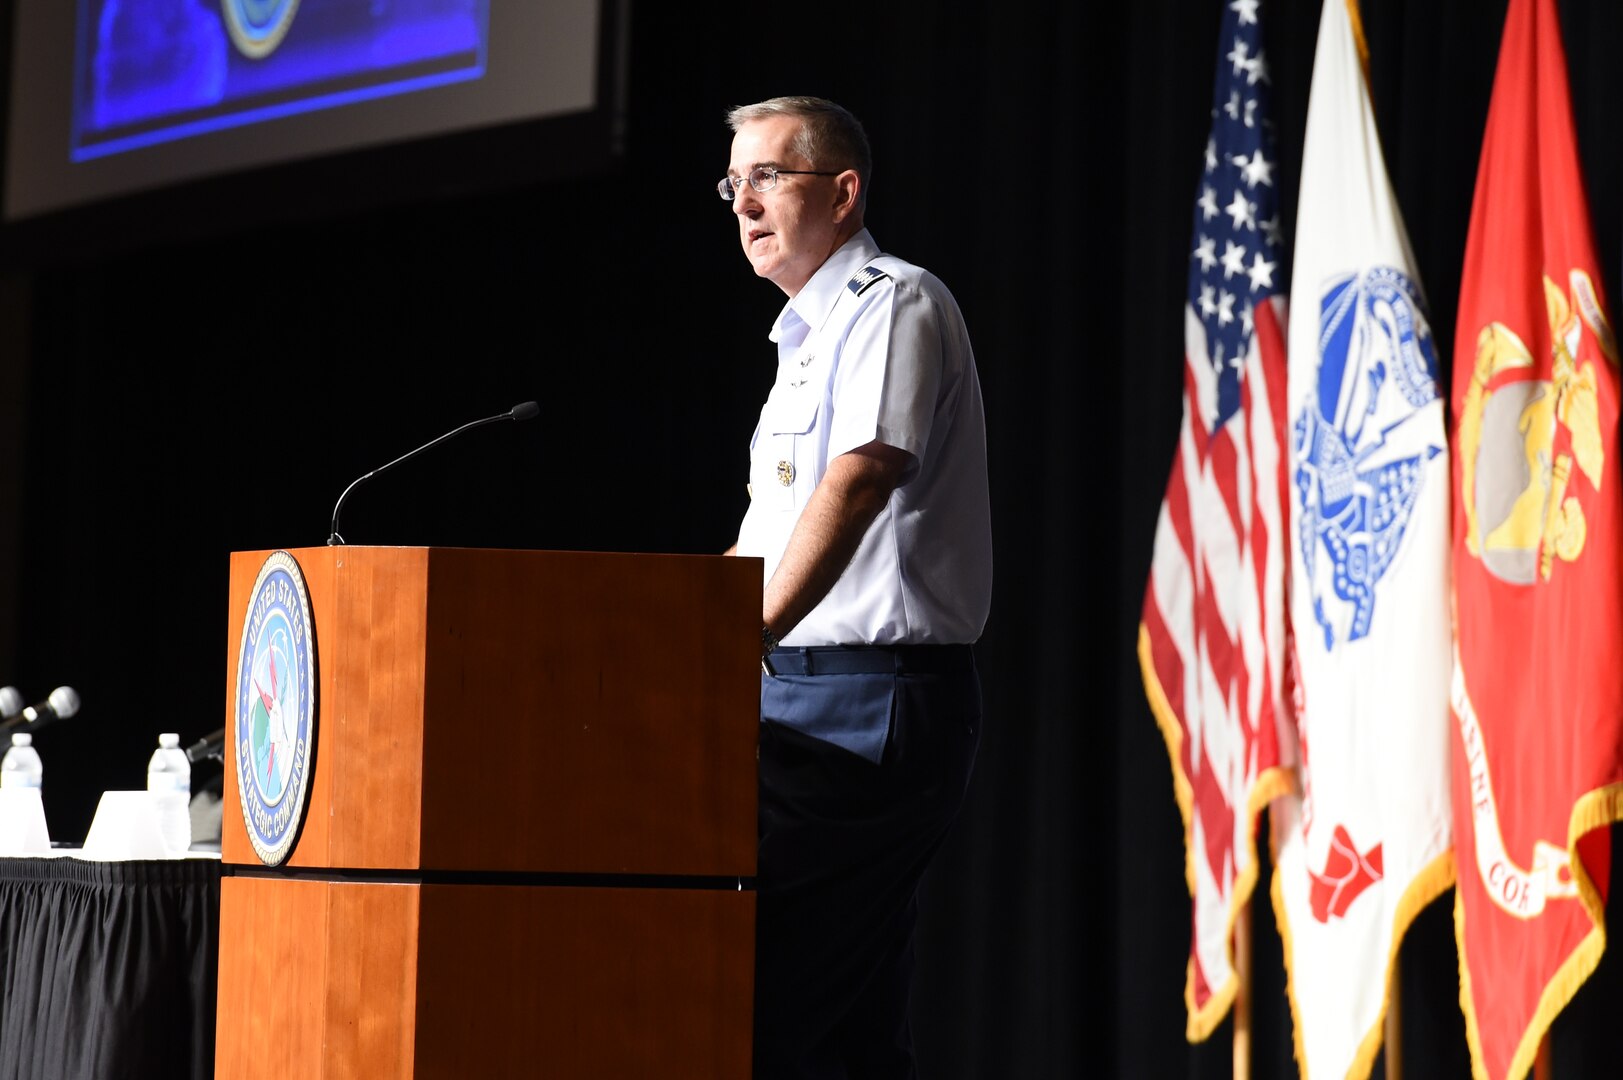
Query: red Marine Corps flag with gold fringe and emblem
[1539,595]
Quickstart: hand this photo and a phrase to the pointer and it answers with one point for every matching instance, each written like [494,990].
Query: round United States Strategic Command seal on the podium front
[275,733]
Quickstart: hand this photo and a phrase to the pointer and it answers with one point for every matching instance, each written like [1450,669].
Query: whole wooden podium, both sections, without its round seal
[530,842]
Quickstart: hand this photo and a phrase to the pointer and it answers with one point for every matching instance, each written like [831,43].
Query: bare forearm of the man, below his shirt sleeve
[851,495]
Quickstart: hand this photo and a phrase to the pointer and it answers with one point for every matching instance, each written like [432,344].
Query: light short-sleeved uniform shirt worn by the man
[876,348]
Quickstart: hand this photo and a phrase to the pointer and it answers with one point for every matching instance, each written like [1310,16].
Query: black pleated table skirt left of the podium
[108,970]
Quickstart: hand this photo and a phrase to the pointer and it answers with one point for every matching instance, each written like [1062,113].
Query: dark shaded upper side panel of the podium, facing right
[592,714]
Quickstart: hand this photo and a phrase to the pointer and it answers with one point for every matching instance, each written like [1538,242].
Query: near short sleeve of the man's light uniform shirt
[890,373]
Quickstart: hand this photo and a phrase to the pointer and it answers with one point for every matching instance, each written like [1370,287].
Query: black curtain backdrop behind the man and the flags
[192,376]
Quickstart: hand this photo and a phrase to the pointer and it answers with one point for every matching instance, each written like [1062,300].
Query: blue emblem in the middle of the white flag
[1359,462]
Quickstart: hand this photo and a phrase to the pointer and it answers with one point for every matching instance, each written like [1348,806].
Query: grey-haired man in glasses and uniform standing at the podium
[869,508]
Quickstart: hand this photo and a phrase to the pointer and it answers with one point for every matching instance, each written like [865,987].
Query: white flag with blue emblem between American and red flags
[1364,844]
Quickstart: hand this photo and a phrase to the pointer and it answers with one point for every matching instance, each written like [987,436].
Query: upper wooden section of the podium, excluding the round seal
[523,712]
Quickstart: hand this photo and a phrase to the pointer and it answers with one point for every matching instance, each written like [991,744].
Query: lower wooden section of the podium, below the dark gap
[387,982]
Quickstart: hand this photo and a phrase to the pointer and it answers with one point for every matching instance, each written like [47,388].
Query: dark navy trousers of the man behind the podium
[843,844]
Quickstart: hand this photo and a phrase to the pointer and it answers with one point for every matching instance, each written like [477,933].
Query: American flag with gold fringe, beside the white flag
[1213,634]
